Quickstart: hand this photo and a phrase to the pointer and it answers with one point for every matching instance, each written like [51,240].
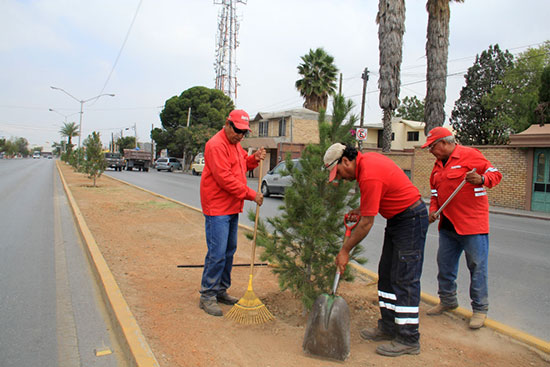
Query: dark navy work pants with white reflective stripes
[399,273]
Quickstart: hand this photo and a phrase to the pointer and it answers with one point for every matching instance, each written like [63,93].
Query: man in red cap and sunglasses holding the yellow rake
[223,191]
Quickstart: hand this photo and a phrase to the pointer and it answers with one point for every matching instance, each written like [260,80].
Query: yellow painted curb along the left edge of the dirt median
[137,351]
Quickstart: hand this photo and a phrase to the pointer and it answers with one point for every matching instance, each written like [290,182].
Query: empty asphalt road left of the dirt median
[51,313]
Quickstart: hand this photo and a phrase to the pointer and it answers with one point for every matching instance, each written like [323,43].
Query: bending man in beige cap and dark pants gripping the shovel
[385,189]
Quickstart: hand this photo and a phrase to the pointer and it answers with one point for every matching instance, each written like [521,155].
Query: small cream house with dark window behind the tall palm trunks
[406,134]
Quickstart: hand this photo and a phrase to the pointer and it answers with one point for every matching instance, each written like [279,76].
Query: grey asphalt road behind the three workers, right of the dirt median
[519,260]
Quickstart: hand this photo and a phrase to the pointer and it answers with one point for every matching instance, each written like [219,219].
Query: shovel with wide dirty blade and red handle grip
[327,330]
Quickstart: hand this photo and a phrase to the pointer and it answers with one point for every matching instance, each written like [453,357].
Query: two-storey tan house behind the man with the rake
[282,133]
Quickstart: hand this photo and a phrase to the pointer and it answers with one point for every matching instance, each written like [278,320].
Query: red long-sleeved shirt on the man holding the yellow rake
[223,183]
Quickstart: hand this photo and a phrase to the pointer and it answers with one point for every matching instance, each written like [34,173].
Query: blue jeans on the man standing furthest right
[476,248]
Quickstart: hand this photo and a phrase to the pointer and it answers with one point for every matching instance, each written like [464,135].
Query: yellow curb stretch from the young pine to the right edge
[518,335]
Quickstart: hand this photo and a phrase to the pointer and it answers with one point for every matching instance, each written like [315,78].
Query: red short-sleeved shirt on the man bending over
[385,188]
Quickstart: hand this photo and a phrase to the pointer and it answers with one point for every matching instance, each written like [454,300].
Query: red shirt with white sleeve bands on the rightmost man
[469,209]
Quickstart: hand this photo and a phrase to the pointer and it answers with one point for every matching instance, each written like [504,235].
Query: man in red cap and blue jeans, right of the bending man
[464,222]
